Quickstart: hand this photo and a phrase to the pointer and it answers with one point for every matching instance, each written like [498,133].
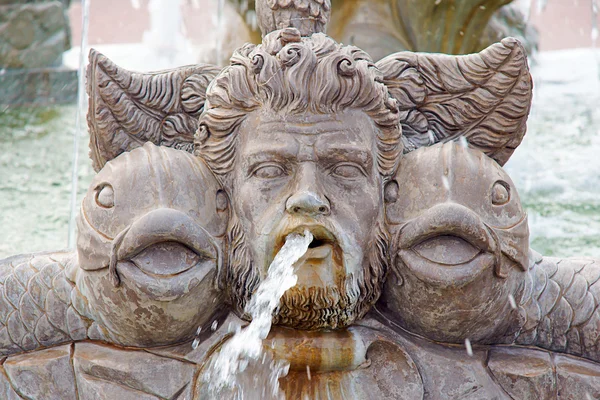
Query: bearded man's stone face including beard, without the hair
[315,172]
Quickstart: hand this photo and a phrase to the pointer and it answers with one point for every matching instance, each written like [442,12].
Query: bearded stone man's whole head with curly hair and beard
[304,136]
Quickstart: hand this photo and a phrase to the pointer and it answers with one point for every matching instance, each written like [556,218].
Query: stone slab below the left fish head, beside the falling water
[115,372]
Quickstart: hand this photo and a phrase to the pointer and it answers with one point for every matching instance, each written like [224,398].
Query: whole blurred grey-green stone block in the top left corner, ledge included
[33,36]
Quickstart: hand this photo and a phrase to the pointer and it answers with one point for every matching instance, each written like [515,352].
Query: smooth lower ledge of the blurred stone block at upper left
[40,86]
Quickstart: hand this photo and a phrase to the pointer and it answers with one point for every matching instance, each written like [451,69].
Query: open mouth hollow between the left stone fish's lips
[167,258]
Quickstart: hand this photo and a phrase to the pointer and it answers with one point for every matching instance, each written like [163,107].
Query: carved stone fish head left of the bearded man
[149,246]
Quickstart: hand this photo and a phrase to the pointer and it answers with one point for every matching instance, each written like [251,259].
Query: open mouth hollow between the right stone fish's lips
[446,250]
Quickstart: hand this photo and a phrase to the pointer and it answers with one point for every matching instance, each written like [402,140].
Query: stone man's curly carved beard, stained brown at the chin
[310,308]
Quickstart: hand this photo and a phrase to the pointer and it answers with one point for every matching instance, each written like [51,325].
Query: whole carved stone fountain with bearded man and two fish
[418,282]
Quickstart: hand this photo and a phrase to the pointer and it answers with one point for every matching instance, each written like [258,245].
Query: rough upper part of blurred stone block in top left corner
[33,35]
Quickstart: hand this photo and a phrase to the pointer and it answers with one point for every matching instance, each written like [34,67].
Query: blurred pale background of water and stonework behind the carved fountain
[45,169]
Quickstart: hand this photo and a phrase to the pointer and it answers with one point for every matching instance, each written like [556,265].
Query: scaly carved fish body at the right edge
[559,309]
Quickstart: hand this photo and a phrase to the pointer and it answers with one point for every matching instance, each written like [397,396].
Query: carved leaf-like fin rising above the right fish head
[484,97]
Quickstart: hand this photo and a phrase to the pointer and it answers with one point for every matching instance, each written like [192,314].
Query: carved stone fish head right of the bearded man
[460,246]
